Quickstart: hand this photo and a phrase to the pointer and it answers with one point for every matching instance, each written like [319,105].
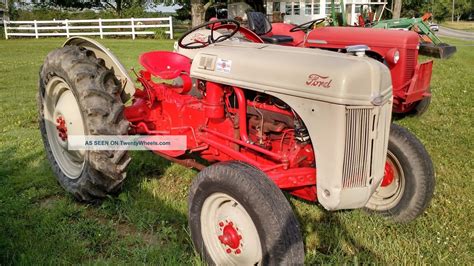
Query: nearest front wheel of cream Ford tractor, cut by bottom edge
[238,216]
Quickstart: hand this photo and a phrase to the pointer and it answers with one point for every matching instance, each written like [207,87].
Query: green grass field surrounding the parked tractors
[146,223]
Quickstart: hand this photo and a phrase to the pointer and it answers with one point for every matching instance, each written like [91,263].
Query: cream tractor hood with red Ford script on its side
[307,73]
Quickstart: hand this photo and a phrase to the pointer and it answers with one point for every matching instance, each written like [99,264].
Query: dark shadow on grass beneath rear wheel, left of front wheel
[42,224]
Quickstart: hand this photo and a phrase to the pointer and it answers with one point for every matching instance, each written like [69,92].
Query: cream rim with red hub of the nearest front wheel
[228,232]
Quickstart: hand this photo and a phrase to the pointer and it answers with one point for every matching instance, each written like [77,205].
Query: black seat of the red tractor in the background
[259,23]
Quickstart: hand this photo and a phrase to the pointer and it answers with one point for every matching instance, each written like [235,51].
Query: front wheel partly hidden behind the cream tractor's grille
[409,181]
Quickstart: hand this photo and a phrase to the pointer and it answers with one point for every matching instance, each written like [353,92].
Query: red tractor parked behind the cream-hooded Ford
[398,50]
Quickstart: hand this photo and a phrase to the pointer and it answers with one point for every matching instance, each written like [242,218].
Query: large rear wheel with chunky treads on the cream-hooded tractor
[78,95]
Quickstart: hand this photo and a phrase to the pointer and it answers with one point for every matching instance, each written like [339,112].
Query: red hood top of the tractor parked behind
[344,36]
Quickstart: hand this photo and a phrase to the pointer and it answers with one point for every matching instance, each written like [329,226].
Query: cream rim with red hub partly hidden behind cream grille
[390,192]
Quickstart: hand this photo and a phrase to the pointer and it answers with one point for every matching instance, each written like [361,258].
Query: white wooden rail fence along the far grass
[88,27]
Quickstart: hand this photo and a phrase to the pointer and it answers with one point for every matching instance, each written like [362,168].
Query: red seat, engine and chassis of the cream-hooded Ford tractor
[218,131]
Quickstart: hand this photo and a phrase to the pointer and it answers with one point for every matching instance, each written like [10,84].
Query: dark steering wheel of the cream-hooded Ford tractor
[204,41]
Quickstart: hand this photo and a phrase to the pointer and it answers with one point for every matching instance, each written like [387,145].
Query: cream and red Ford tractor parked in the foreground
[319,129]
